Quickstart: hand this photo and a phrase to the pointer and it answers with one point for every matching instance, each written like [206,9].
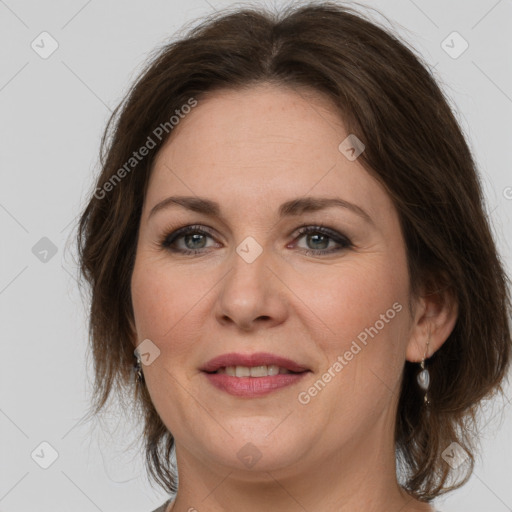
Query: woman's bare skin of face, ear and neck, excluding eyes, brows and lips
[251,151]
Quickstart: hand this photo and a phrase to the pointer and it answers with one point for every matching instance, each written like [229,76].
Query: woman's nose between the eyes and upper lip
[252,294]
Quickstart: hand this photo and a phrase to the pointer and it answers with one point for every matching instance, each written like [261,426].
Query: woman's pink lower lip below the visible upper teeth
[253,386]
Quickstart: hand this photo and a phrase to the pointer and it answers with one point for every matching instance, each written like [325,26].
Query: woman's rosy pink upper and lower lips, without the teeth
[251,387]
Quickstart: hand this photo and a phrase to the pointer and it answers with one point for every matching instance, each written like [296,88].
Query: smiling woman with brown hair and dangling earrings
[288,244]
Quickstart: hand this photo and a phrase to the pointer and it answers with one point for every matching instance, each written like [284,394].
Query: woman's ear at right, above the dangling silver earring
[435,315]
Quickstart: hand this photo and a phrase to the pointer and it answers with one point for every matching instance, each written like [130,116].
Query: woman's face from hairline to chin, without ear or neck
[321,284]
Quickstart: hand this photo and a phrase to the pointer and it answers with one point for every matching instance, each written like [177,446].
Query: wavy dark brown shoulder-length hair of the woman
[414,147]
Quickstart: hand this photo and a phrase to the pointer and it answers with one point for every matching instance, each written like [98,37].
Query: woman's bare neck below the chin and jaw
[360,477]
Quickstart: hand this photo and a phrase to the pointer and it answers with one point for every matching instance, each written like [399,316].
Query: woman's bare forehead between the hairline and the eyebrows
[239,145]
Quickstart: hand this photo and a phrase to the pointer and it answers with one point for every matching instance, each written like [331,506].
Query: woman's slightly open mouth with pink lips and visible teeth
[253,375]
